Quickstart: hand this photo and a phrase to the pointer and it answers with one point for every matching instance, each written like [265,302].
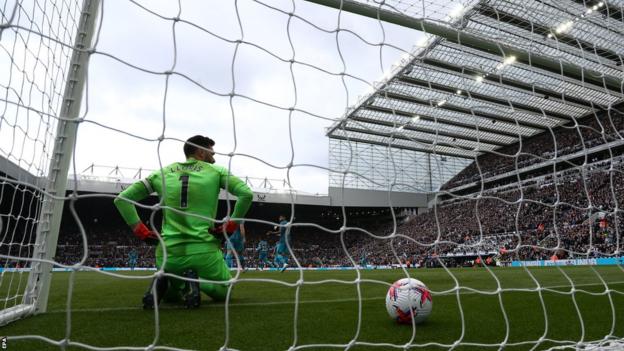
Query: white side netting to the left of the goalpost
[36,40]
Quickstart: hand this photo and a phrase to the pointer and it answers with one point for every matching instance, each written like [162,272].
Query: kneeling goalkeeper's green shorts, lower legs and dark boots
[207,265]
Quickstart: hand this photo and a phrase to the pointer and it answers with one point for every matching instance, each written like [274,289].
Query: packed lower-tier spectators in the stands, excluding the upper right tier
[571,215]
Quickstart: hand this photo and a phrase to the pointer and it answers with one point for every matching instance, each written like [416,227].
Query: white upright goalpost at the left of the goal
[35,299]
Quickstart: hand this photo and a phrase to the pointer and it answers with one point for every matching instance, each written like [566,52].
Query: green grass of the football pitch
[106,311]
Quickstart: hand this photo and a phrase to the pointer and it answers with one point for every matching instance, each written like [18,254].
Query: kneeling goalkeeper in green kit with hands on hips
[189,195]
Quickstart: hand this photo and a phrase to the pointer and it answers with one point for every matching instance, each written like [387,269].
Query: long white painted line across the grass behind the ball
[273,303]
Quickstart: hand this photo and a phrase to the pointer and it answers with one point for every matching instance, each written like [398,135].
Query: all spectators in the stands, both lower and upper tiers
[574,213]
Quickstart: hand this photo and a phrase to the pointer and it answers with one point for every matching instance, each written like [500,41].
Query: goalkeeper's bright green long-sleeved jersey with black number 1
[189,191]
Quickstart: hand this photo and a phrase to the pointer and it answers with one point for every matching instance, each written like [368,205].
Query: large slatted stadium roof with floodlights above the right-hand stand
[492,72]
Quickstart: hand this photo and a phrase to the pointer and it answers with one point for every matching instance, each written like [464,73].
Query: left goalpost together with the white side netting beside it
[42,44]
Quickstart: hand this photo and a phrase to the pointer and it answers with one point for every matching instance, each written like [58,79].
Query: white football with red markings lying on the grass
[407,298]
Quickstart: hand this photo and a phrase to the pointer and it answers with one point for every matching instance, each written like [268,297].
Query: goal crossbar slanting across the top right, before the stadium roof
[476,41]
